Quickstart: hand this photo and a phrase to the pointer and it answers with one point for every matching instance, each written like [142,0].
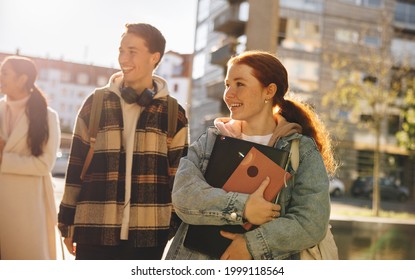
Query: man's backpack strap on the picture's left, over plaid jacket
[95,116]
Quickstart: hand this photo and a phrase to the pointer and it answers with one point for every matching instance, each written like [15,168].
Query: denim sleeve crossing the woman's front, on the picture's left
[195,201]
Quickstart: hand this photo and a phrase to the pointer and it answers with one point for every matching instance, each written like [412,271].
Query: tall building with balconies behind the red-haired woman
[303,34]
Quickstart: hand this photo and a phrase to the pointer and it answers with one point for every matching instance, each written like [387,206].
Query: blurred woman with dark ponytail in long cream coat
[29,141]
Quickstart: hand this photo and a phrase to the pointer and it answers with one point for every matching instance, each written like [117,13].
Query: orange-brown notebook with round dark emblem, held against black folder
[250,173]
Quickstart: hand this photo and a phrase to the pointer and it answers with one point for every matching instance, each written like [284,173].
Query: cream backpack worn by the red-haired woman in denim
[326,249]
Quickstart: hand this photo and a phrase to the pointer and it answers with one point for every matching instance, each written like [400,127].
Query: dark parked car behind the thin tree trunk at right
[389,189]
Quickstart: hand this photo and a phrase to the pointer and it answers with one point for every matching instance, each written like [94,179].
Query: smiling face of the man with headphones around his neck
[136,62]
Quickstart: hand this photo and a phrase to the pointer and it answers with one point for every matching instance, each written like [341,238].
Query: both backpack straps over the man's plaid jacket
[97,103]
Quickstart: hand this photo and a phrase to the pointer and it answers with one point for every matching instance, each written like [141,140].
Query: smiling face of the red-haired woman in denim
[245,96]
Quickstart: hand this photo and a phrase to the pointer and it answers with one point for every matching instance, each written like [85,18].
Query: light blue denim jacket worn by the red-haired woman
[305,203]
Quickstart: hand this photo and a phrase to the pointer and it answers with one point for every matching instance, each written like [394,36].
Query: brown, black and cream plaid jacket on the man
[94,206]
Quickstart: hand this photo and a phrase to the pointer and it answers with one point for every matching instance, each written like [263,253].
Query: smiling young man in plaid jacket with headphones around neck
[121,208]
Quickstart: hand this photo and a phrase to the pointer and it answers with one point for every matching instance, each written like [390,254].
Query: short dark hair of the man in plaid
[155,41]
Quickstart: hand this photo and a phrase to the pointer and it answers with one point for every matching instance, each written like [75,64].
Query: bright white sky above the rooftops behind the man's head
[88,31]
